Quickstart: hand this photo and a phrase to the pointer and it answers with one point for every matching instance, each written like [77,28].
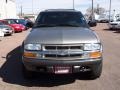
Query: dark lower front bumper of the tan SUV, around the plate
[41,65]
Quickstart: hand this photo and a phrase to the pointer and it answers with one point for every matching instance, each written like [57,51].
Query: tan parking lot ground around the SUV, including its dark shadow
[11,77]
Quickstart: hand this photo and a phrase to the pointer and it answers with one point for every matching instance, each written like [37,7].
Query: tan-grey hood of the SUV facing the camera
[61,35]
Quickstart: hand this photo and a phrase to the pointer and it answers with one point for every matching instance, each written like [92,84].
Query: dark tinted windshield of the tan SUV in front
[48,19]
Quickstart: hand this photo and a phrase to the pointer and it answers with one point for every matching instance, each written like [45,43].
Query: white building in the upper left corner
[7,9]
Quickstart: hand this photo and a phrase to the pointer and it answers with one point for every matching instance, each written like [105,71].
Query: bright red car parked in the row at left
[16,27]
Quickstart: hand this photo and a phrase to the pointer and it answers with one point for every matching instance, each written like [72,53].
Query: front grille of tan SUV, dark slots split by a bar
[63,51]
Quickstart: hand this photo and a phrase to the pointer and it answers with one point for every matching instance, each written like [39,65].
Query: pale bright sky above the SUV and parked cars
[81,5]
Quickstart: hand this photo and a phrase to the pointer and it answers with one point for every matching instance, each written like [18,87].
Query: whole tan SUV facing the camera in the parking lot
[61,42]
